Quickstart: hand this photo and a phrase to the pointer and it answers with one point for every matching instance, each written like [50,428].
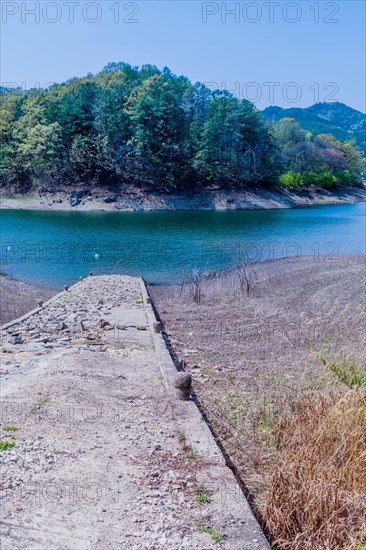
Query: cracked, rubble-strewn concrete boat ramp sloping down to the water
[97,451]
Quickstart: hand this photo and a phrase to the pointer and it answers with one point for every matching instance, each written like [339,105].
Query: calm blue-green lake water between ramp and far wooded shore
[55,248]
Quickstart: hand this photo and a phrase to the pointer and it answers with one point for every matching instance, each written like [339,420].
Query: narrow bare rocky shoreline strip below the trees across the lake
[208,199]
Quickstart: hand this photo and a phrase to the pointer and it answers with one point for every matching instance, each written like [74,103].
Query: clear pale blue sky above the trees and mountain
[275,53]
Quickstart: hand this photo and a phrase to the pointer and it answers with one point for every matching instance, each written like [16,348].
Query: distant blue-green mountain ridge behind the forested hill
[343,122]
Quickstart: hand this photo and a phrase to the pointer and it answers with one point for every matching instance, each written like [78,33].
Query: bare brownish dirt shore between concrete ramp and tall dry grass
[253,356]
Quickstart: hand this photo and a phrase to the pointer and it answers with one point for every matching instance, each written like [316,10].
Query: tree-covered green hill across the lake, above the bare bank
[144,127]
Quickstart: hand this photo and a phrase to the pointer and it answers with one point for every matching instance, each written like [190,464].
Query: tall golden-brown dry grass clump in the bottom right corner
[317,496]
